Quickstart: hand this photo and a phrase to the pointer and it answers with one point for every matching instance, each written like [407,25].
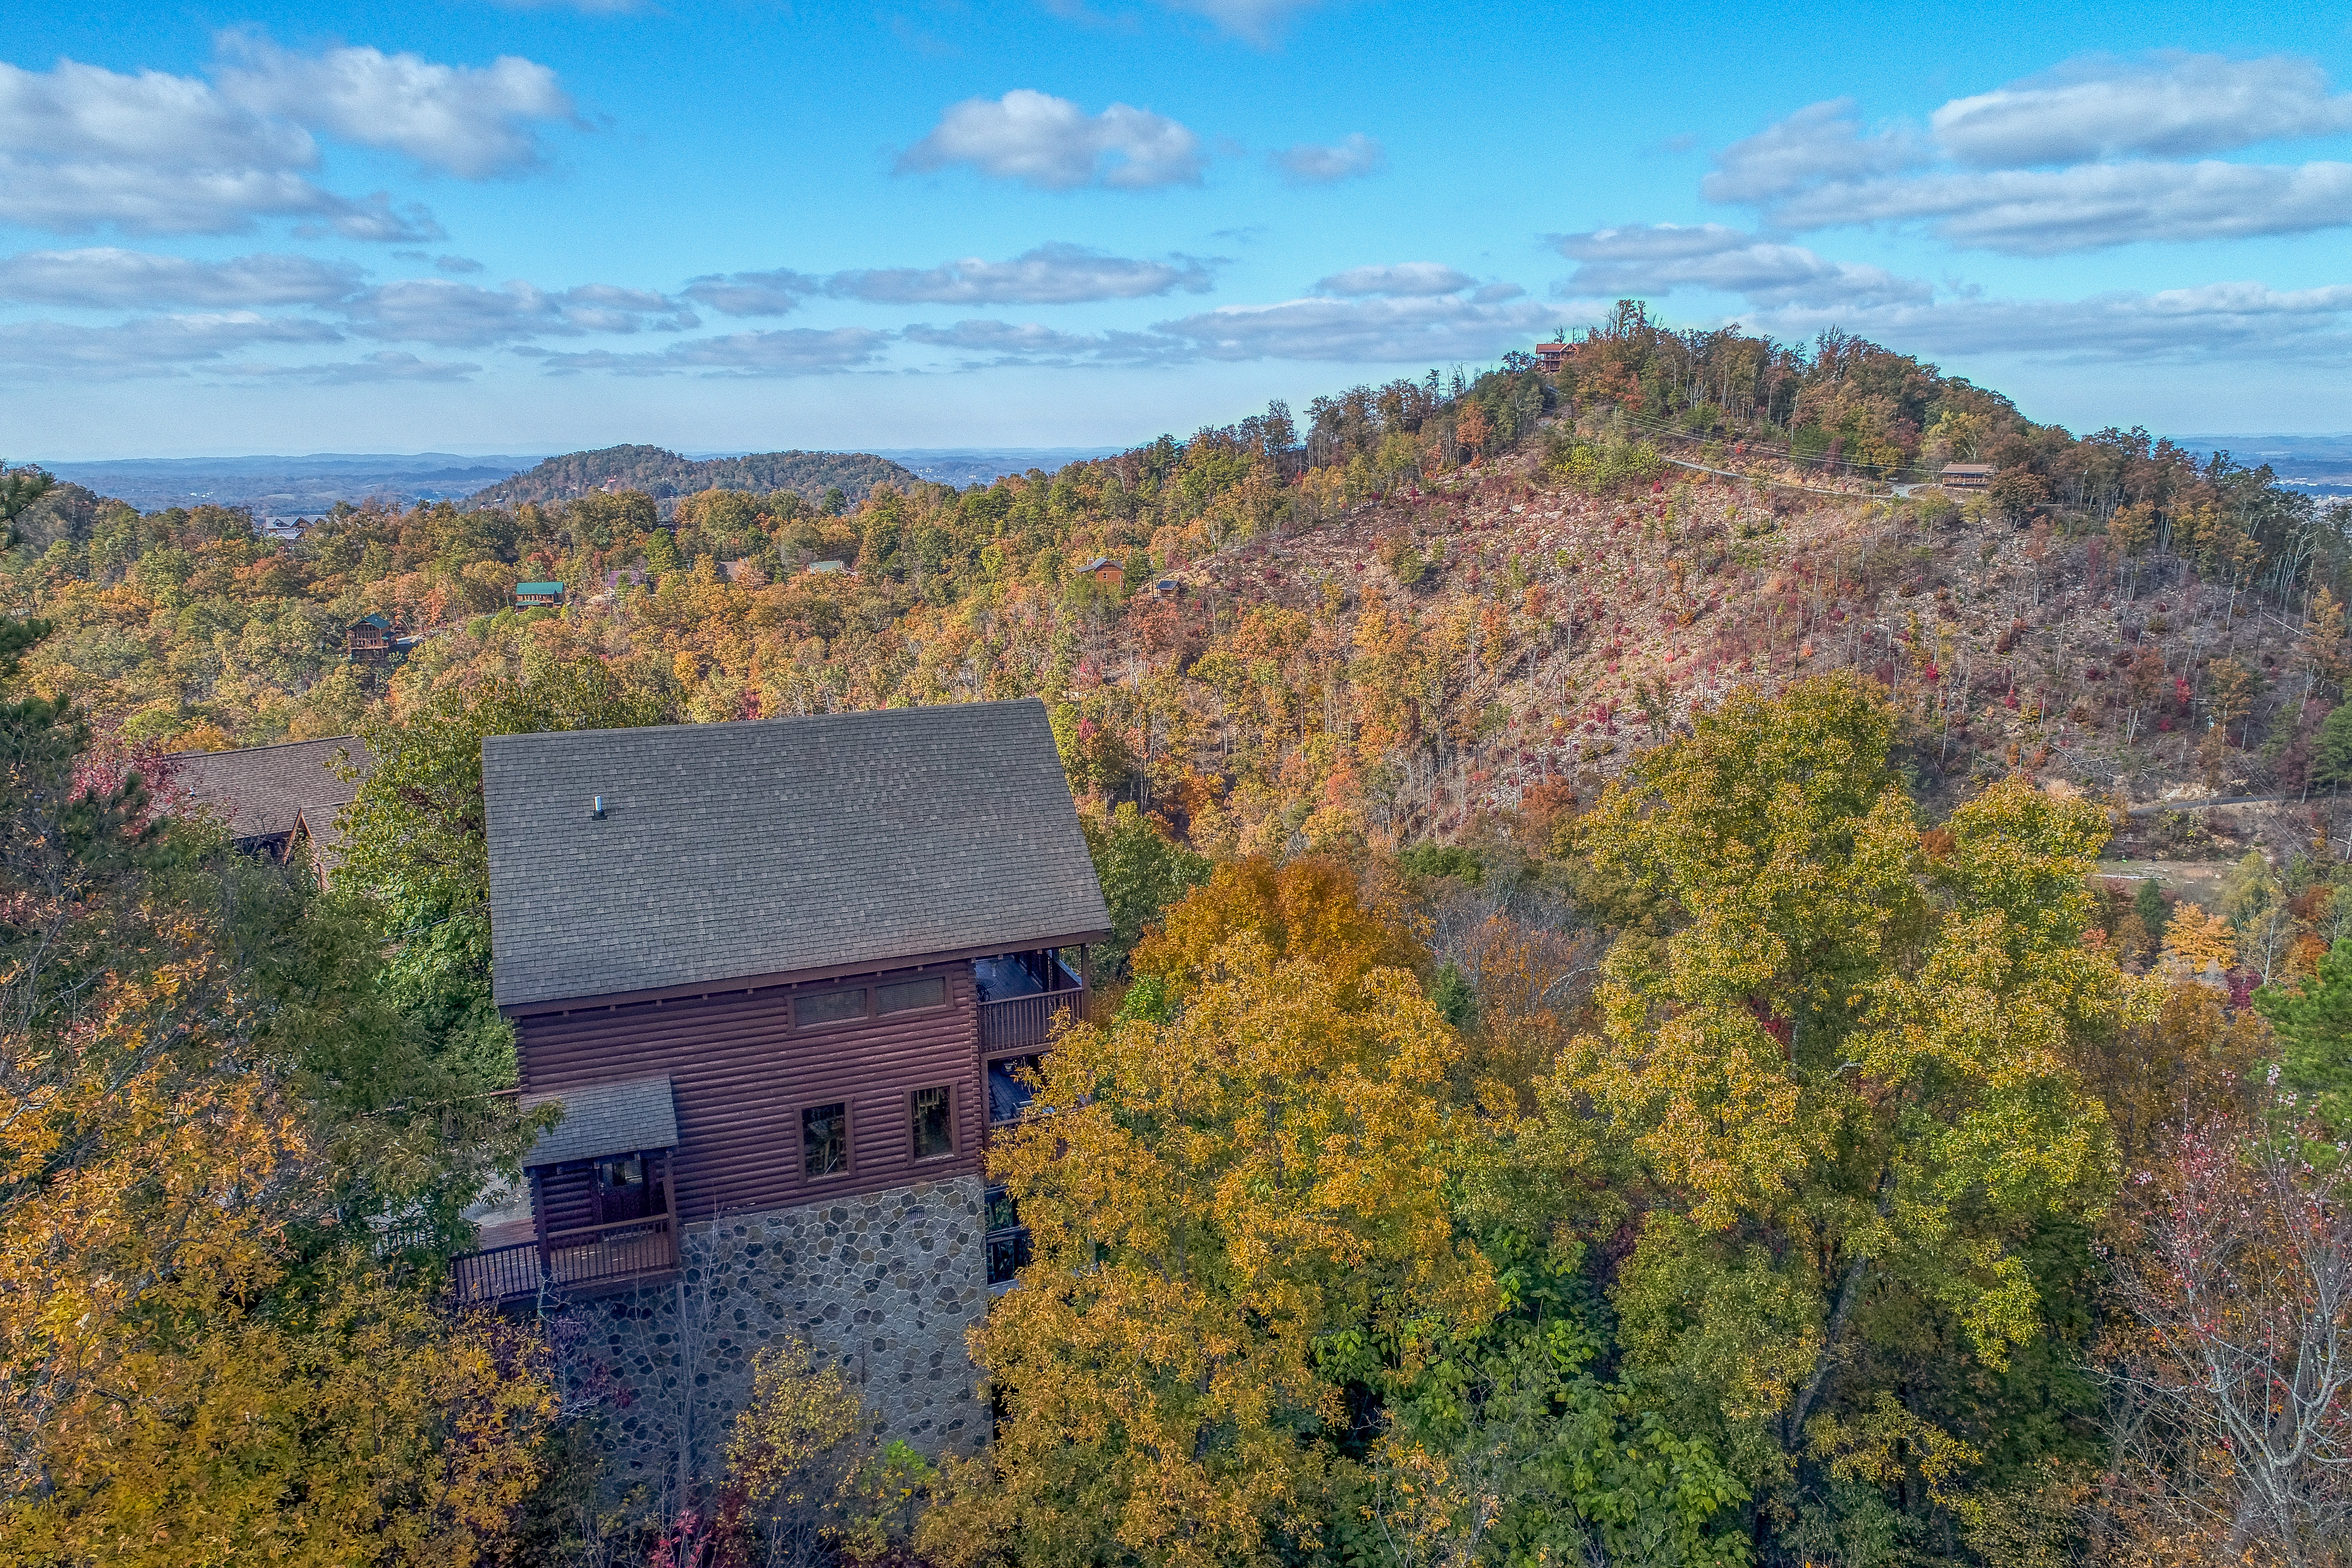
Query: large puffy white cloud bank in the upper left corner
[83,147]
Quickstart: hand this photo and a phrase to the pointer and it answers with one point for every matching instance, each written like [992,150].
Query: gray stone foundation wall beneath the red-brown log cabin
[881,1285]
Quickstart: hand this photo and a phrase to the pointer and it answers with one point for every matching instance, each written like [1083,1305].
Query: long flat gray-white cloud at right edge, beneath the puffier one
[2045,213]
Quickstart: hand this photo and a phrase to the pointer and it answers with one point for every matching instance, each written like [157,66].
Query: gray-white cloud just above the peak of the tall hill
[1664,257]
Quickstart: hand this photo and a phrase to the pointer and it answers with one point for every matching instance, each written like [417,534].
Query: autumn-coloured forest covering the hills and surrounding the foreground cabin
[1629,1038]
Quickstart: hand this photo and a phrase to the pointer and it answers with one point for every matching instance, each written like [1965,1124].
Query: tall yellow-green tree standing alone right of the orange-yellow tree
[1845,1073]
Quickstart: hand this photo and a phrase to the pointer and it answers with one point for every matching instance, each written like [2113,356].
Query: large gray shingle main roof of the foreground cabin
[777,847]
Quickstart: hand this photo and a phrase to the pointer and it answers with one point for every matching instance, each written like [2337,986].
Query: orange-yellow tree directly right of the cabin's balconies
[1224,1179]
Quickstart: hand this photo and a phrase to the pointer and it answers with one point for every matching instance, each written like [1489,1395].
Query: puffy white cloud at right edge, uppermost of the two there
[2165,107]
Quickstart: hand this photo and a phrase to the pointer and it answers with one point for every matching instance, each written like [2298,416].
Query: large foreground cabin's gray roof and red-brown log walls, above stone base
[768,967]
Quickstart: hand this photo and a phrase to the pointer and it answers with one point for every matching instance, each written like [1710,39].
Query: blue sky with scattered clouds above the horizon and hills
[490,227]
